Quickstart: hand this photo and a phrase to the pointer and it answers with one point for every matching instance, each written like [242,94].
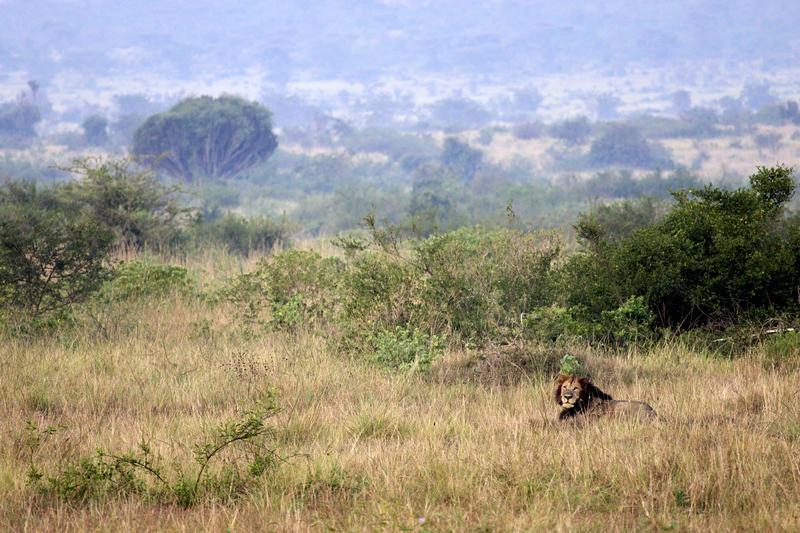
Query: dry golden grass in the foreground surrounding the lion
[382,451]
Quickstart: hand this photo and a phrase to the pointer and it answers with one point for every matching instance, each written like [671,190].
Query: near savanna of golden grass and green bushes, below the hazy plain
[164,374]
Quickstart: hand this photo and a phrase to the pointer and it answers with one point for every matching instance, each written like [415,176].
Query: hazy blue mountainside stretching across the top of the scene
[366,39]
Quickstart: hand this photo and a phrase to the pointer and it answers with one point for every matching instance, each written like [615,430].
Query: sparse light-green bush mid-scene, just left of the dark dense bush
[470,283]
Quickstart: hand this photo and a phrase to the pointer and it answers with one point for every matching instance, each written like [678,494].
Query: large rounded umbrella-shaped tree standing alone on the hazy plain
[207,137]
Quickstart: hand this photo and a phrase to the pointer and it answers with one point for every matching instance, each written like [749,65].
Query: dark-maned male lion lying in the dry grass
[578,395]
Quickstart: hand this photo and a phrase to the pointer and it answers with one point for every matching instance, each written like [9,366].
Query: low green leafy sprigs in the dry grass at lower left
[143,472]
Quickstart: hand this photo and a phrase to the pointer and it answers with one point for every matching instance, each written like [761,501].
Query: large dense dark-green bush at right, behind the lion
[717,255]
